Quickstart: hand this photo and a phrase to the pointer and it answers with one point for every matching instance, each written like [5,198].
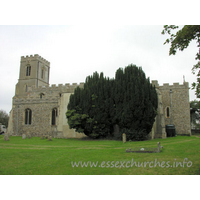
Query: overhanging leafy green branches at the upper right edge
[180,41]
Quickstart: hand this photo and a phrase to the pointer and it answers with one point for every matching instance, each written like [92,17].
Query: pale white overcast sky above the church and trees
[74,52]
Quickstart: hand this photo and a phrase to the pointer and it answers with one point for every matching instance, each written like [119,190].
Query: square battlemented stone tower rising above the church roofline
[34,71]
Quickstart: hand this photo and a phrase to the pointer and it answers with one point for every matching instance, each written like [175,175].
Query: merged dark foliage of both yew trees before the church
[128,100]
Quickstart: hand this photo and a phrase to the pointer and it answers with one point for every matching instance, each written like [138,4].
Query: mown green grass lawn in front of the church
[36,156]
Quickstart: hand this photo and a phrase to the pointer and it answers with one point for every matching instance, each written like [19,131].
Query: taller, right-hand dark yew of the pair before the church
[136,102]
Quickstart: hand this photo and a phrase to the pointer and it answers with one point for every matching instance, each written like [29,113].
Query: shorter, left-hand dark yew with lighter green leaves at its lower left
[89,108]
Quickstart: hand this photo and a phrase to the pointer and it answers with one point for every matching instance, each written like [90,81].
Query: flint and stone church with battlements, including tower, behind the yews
[39,109]
